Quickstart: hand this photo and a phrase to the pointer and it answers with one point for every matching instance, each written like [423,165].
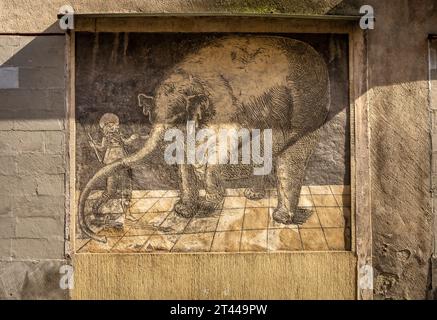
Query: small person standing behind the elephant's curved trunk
[118,184]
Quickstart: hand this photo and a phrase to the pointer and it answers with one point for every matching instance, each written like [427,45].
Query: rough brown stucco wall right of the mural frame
[400,147]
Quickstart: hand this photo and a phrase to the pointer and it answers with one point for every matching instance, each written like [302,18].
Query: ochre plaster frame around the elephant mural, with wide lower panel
[357,263]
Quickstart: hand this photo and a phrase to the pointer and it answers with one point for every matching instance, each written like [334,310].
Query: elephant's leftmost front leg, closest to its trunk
[189,192]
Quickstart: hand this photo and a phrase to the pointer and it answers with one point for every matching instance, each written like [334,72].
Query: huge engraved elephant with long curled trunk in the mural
[239,81]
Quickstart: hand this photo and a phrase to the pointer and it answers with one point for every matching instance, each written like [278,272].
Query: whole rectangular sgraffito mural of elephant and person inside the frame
[212,143]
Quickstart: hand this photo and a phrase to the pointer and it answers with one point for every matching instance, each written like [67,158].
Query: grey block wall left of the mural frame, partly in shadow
[32,165]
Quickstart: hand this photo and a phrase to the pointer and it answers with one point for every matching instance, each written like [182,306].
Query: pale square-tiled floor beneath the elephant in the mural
[240,226]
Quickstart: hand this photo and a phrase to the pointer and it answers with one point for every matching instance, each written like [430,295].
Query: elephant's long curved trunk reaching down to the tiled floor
[150,145]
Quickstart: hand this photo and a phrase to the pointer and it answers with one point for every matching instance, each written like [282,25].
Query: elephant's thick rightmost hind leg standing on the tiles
[290,172]
